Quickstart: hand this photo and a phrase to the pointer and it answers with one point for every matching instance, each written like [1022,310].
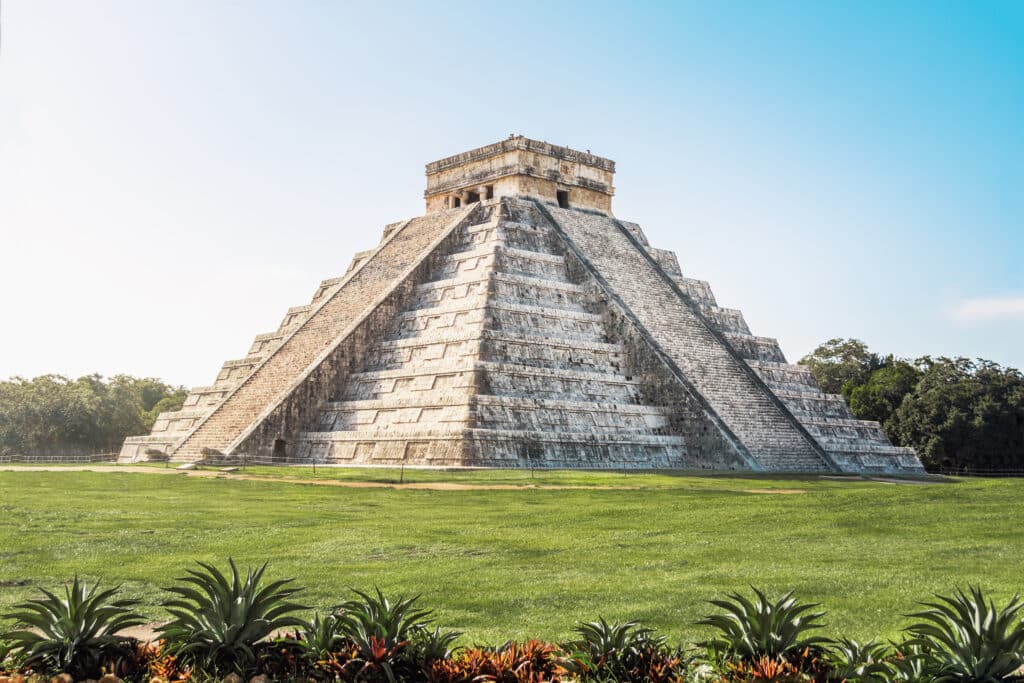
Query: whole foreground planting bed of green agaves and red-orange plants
[230,627]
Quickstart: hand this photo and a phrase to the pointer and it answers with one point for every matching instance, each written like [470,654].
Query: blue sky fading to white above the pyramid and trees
[175,176]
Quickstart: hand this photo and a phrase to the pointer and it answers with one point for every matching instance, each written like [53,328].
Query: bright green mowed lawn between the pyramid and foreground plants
[531,560]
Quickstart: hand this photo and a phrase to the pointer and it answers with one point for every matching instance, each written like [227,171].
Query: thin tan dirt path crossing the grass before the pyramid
[219,475]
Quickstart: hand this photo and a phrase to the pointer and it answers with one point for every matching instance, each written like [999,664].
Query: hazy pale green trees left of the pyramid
[53,415]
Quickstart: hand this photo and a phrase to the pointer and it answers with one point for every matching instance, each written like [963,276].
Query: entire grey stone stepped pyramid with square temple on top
[520,324]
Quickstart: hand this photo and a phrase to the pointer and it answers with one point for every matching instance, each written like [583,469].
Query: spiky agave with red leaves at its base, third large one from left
[381,631]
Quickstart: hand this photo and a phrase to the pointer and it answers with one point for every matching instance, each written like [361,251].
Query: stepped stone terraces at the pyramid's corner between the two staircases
[500,360]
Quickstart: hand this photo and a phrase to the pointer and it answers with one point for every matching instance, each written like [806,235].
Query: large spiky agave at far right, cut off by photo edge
[966,638]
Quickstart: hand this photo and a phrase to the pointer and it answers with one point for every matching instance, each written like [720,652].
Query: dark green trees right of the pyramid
[959,414]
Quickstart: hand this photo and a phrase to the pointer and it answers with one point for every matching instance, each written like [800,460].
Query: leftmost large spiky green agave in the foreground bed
[76,634]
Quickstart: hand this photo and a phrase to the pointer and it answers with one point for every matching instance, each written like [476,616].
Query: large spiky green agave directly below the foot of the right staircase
[751,630]
